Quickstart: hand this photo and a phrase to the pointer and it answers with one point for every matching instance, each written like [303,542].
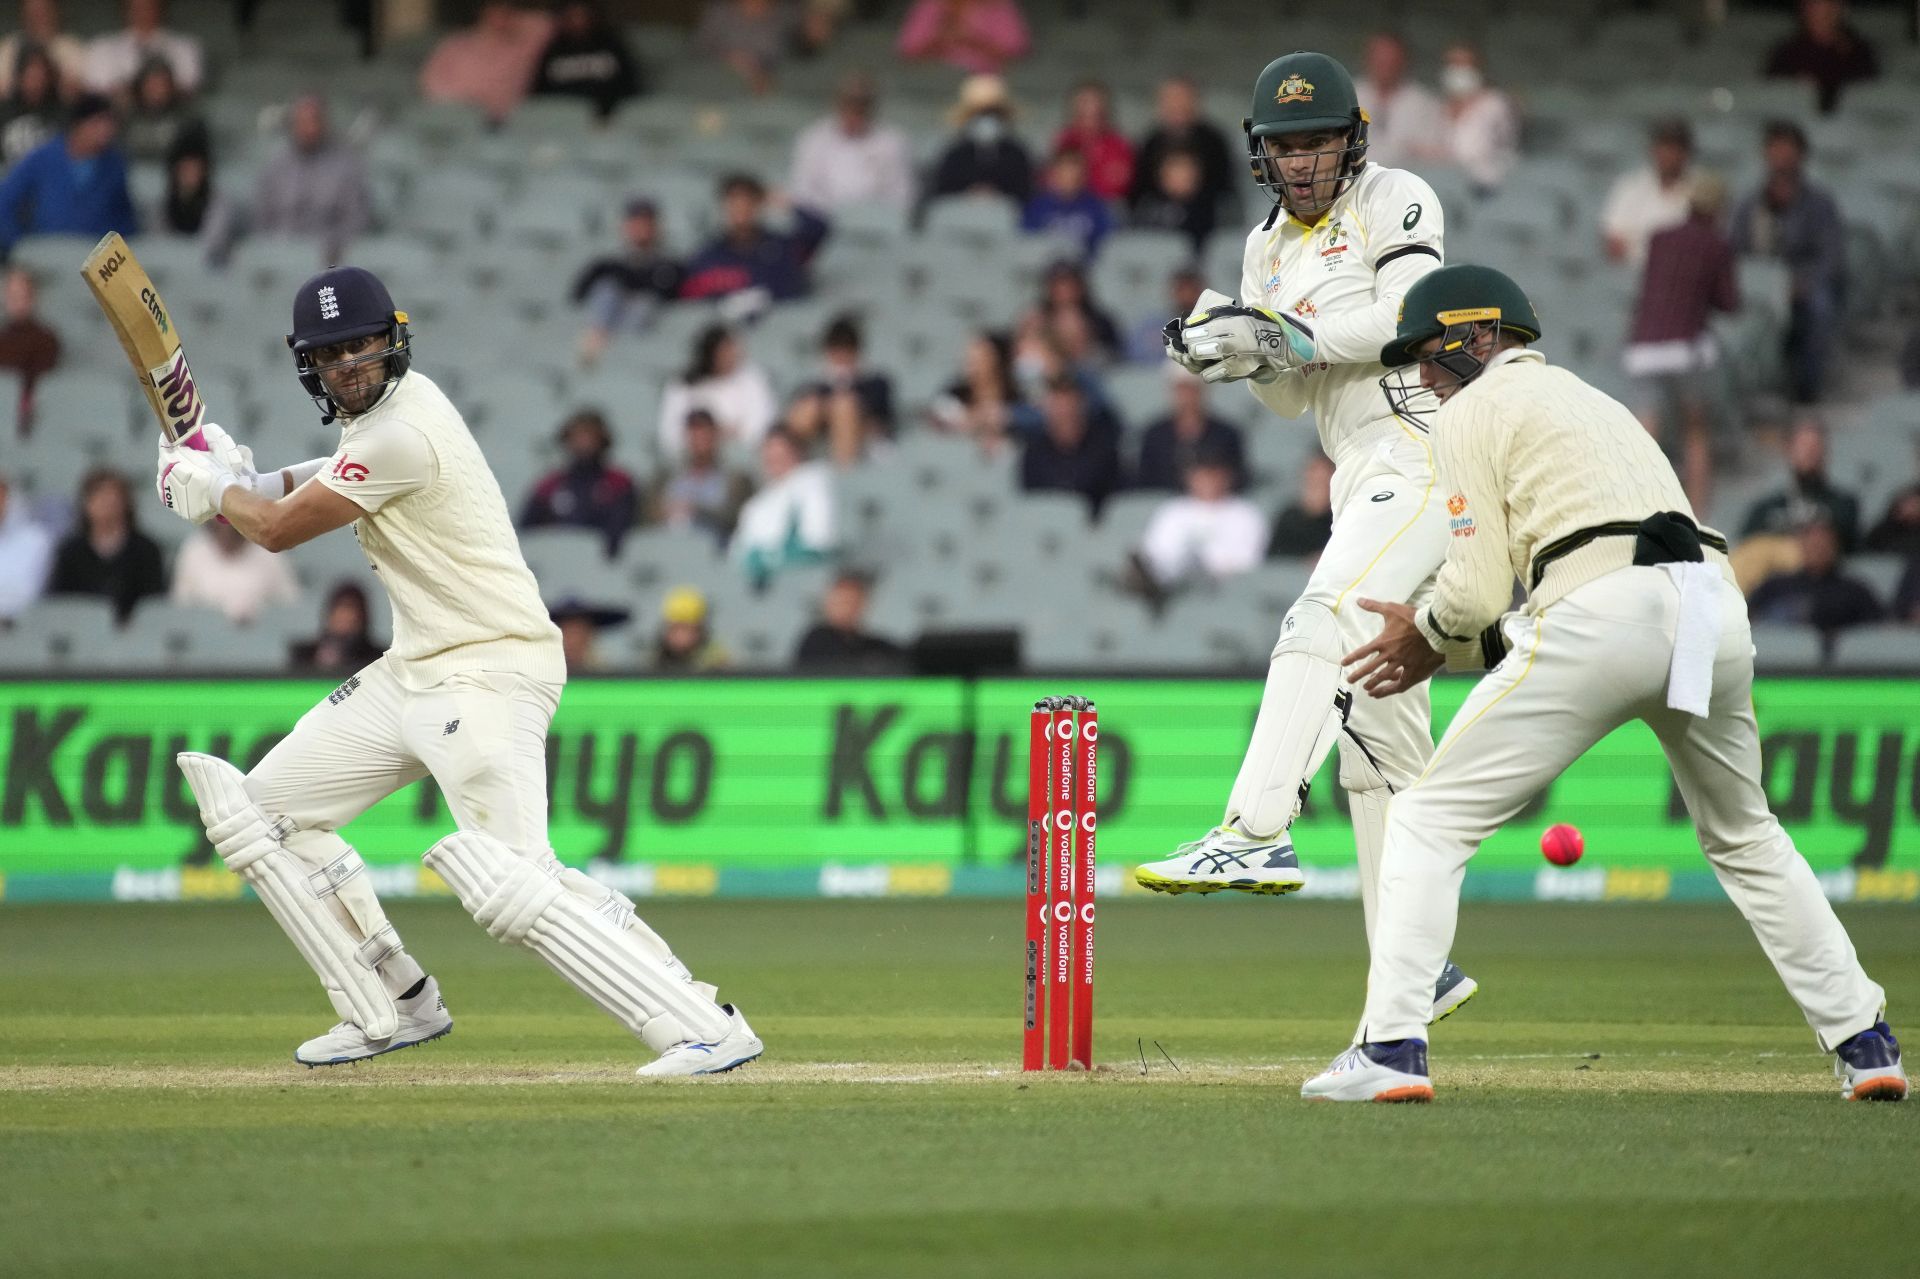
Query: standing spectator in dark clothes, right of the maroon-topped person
[1798,224]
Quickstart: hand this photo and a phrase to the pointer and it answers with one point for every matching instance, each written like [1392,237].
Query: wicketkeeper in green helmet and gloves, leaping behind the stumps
[1320,293]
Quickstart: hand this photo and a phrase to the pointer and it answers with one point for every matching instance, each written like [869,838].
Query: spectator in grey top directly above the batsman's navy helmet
[316,187]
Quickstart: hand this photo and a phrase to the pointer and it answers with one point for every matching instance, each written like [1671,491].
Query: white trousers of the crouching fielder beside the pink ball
[1579,671]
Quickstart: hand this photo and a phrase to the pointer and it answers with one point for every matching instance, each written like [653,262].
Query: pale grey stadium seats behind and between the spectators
[483,231]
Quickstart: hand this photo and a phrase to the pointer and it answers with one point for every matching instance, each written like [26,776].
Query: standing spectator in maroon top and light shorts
[1671,352]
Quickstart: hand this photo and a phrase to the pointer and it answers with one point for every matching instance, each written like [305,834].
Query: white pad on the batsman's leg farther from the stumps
[322,911]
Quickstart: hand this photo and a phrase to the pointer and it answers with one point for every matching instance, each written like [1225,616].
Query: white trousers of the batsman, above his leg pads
[483,736]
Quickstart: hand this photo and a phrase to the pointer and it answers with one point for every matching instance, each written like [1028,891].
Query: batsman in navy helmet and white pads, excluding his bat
[466,694]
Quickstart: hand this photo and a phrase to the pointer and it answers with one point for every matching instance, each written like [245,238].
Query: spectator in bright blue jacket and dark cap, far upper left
[70,185]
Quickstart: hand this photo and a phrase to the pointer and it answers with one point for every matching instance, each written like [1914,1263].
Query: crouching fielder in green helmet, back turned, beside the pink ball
[1631,614]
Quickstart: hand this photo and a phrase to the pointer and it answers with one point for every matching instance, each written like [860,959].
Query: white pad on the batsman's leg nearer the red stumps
[585,930]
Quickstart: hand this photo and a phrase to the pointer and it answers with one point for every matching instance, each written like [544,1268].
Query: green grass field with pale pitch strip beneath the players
[1631,1096]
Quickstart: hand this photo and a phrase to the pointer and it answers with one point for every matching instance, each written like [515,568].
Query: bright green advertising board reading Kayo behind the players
[901,784]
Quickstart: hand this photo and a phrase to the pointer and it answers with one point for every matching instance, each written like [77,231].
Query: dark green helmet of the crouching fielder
[1451,304]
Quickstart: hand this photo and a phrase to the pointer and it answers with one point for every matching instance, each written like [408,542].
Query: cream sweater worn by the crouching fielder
[1529,454]
